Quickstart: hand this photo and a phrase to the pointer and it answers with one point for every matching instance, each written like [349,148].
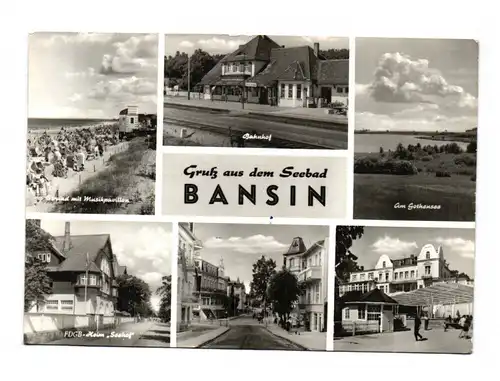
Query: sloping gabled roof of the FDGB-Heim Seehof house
[76,256]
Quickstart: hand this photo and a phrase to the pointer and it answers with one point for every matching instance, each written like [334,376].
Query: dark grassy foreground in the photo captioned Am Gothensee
[375,196]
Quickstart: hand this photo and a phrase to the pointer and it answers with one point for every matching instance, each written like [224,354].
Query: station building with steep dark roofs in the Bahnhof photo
[261,71]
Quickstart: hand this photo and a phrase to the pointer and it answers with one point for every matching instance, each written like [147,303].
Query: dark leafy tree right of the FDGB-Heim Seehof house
[133,293]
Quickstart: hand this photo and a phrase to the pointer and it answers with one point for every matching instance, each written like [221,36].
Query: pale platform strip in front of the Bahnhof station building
[251,109]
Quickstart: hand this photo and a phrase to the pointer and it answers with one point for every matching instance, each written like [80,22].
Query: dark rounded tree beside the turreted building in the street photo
[283,292]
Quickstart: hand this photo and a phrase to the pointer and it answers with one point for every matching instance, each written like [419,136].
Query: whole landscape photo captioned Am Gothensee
[416,130]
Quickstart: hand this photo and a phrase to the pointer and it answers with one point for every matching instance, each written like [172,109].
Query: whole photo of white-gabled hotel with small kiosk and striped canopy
[404,289]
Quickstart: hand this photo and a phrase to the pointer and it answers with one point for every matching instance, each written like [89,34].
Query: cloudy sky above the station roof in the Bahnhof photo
[224,44]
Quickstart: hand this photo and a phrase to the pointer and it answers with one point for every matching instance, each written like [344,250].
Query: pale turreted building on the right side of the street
[310,265]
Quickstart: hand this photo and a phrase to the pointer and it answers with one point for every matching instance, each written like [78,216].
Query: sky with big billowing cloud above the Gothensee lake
[416,84]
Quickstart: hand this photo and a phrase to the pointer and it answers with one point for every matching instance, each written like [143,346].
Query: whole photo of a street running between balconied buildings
[252,286]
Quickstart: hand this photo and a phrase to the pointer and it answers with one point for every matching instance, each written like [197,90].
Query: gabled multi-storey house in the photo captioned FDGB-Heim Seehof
[83,271]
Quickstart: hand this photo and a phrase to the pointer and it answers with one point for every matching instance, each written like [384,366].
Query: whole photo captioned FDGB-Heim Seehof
[97,283]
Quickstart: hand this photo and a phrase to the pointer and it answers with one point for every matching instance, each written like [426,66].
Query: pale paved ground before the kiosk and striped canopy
[437,341]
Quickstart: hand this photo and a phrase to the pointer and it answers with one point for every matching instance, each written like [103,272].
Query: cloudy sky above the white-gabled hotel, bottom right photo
[458,245]
